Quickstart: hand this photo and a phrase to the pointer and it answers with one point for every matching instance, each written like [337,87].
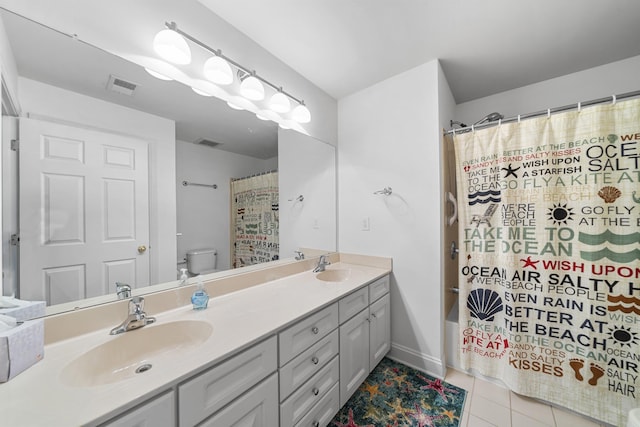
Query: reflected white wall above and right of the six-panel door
[41,100]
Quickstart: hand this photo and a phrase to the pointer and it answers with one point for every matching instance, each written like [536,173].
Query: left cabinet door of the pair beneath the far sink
[354,354]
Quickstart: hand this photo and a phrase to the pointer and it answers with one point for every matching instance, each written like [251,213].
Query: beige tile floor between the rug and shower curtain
[489,405]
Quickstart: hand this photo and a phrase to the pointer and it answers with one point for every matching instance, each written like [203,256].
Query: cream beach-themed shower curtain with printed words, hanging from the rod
[550,257]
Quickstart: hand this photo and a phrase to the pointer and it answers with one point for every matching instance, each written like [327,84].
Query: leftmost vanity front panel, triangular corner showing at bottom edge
[159,412]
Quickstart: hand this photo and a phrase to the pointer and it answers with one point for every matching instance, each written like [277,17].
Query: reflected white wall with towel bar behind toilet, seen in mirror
[203,215]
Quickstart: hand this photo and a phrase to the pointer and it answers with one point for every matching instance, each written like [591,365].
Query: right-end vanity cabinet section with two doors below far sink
[365,338]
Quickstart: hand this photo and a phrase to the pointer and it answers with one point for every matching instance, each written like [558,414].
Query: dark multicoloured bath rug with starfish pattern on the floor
[394,395]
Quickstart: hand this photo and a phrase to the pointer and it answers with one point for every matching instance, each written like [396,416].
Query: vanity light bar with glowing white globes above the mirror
[218,69]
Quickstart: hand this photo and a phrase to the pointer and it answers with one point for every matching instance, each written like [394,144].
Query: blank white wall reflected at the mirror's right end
[307,167]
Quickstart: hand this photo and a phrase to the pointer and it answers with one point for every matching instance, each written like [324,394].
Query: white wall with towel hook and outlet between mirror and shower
[389,135]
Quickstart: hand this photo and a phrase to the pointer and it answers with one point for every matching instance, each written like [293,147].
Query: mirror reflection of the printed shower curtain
[254,219]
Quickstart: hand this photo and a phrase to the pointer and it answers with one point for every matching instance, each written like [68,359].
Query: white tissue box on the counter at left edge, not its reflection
[20,348]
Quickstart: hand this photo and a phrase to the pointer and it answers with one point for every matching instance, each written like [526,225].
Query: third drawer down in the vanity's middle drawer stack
[300,402]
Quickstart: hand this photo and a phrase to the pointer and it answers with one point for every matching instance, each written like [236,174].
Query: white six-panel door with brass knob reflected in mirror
[83,212]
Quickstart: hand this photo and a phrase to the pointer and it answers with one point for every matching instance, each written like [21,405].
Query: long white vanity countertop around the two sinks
[39,397]
